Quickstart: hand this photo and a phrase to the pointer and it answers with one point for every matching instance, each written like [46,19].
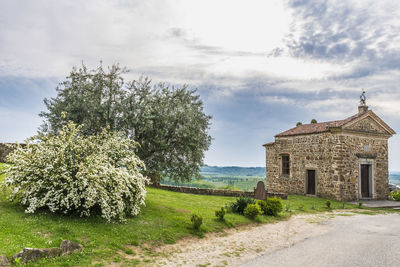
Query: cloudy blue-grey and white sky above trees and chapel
[259,66]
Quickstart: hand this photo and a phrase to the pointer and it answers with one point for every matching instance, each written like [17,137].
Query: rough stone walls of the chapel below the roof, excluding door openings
[334,158]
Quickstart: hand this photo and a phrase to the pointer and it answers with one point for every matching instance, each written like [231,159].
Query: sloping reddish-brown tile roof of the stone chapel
[317,127]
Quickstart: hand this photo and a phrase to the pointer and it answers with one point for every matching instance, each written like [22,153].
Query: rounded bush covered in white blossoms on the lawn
[72,173]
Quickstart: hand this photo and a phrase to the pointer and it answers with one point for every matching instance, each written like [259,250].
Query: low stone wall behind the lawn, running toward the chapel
[214,192]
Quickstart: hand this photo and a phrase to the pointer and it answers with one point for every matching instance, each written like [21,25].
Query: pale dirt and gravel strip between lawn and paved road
[234,246]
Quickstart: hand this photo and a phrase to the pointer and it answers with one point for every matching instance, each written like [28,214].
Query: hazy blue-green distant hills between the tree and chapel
[232,171]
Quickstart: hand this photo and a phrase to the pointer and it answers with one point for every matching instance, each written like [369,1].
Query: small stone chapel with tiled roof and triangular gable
[335,151]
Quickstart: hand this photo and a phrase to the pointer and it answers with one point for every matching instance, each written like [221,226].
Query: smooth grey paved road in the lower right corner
[360,240]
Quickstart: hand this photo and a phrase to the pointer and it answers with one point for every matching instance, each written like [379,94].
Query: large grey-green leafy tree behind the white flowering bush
[168,123]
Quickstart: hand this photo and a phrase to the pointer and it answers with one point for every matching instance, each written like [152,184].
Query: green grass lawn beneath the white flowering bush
[165,219]
